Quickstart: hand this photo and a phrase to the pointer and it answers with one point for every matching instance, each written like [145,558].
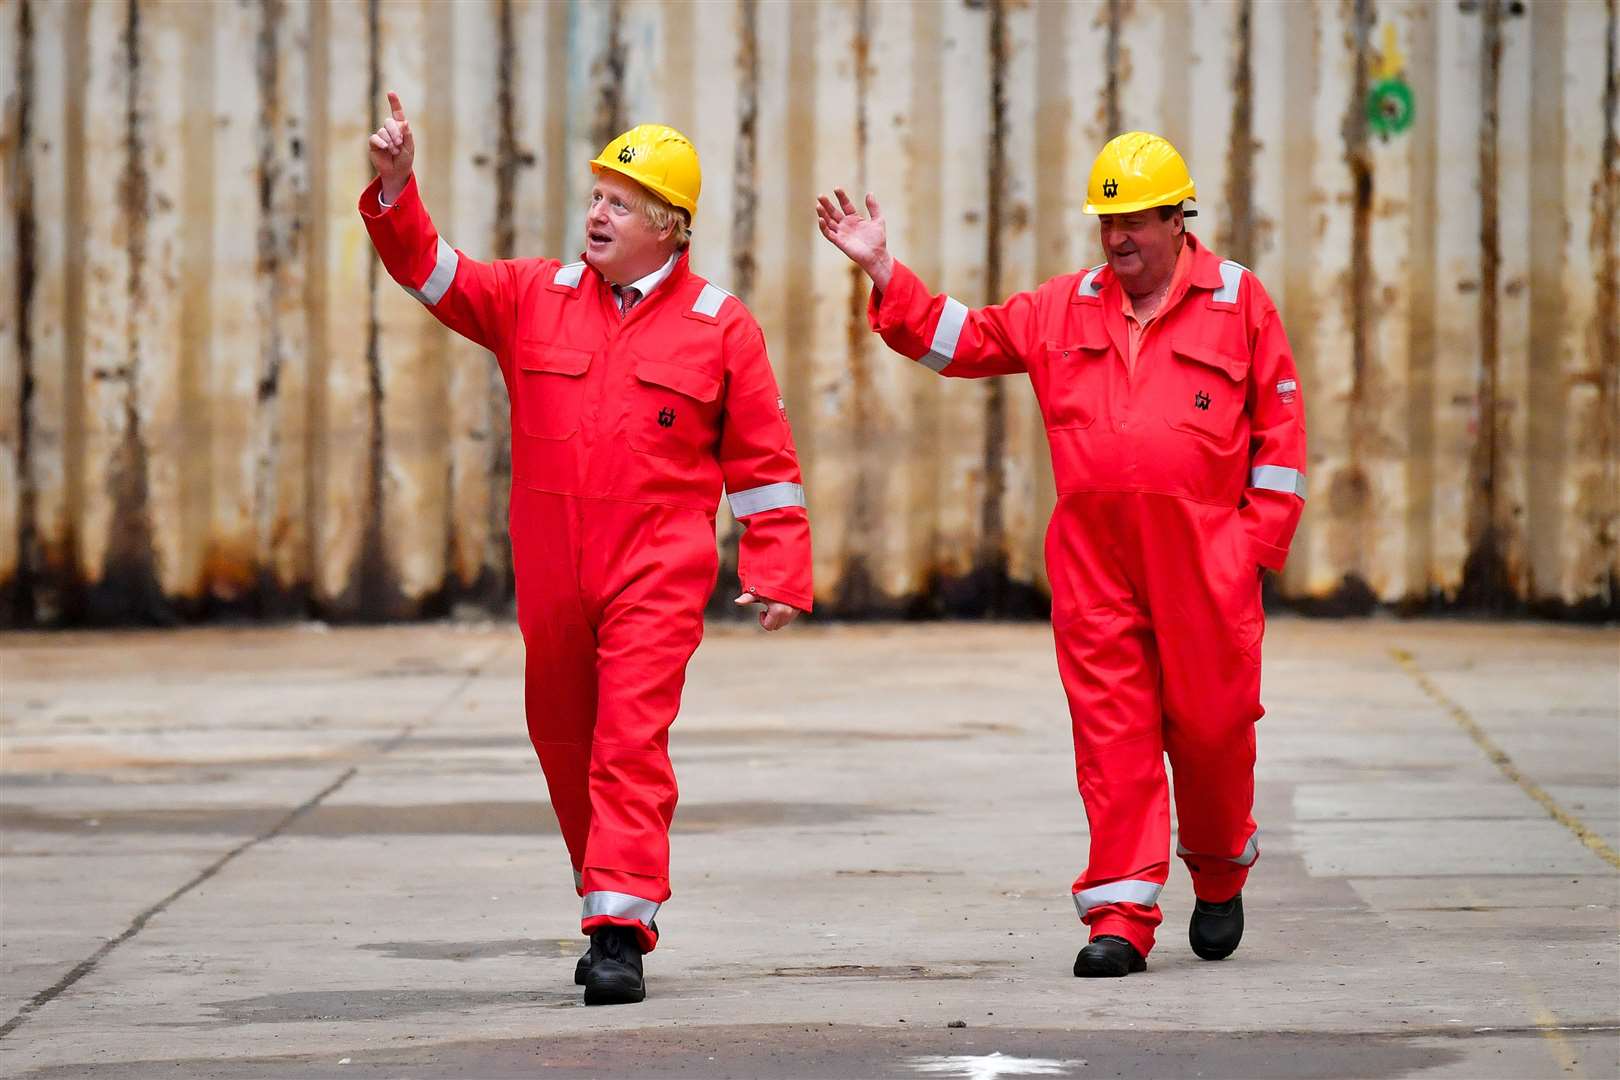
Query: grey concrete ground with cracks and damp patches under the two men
[307,853]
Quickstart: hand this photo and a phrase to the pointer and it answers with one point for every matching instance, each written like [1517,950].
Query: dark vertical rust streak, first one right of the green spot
[1486,580]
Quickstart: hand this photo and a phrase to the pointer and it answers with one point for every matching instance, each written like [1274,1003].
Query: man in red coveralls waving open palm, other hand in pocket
[1179,448]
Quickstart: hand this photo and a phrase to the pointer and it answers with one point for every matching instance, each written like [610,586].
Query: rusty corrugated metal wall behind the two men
[215,401]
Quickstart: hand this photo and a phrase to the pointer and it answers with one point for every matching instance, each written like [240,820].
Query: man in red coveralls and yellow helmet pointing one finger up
[637,391]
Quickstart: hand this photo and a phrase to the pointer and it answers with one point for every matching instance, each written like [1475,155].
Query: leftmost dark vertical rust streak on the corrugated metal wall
[17,597]
